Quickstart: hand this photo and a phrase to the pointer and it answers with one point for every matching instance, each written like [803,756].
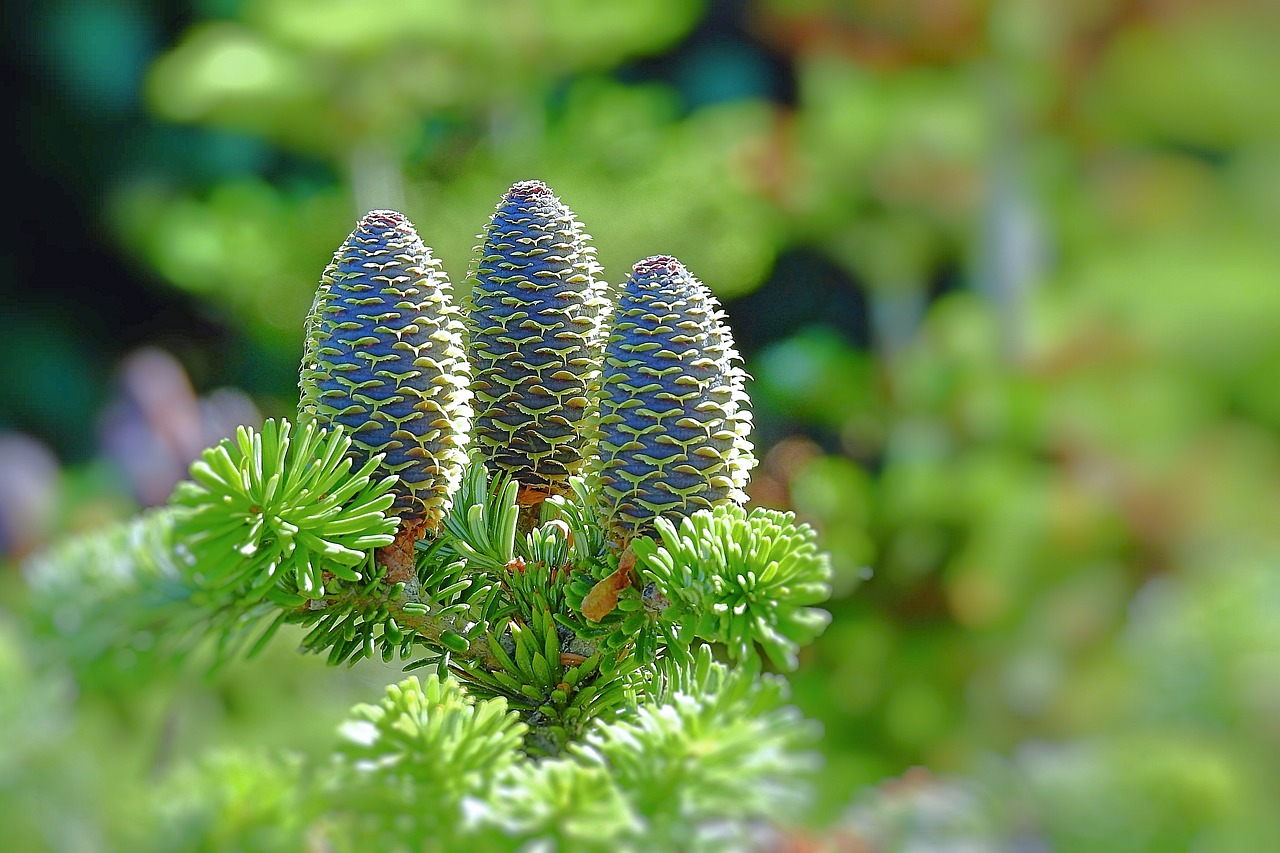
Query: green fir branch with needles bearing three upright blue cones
[565,586]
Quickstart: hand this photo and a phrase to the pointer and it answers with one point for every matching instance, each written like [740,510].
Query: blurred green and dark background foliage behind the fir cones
[1007,275]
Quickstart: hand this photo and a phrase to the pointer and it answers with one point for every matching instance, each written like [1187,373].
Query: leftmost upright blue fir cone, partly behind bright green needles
[385,358]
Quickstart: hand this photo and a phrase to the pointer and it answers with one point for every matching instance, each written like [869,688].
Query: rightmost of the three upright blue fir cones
[674,413]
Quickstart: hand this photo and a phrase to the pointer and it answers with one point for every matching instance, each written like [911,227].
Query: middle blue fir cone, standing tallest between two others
[537,317]
